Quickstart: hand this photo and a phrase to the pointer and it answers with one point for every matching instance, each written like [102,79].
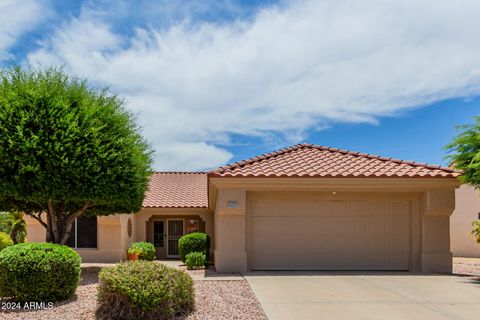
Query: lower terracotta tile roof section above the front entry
[177,190]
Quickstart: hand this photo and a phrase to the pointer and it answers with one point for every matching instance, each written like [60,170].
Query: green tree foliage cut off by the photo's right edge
[465,156]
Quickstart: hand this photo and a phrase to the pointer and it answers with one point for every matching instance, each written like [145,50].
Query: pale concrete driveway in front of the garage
[304,295]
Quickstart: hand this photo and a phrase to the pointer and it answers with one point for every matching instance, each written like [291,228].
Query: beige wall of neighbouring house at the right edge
[467,210]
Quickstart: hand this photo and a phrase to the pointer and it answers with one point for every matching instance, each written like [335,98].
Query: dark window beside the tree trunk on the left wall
[84,233]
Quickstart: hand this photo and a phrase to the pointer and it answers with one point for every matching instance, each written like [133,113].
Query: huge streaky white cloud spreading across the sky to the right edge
[290,69]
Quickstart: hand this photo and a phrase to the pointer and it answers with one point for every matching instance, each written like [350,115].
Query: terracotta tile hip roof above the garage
[307,160]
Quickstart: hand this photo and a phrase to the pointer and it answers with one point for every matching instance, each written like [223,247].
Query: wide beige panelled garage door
[314,234]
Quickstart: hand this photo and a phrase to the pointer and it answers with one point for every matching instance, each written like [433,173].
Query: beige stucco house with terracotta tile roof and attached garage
[306,207]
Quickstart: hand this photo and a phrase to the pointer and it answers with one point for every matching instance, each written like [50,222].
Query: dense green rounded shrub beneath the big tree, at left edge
[39,272]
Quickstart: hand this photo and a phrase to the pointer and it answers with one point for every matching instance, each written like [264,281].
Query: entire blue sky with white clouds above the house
[217,81]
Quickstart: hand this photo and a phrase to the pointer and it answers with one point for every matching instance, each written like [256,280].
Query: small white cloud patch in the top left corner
[16,19]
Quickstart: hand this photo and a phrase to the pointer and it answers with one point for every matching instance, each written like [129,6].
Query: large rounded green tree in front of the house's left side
[67,149]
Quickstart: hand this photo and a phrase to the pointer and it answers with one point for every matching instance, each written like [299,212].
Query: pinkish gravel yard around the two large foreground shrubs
[214,300]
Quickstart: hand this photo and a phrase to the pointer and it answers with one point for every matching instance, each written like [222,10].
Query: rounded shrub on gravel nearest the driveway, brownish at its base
[144,290]
